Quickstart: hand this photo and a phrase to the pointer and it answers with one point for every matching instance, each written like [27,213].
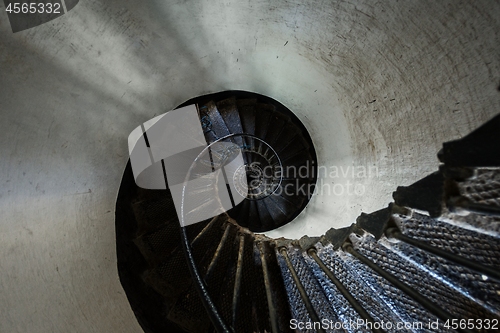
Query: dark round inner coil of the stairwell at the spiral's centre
[280,158]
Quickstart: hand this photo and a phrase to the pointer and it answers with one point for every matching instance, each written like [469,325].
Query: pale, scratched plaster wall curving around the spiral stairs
[379,84]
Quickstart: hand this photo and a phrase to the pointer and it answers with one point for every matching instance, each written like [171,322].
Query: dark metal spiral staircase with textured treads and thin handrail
[431,257]
